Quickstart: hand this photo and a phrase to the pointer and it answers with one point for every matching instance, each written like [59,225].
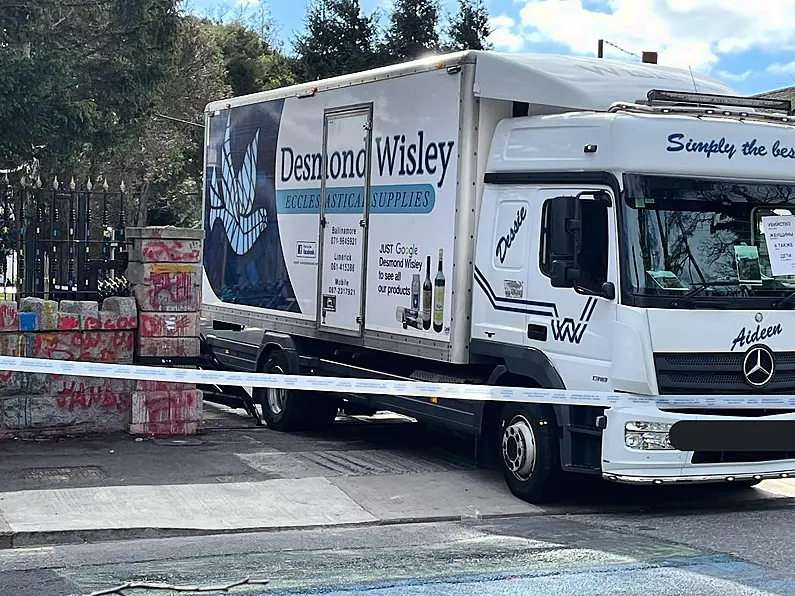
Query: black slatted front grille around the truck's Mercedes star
[697,374]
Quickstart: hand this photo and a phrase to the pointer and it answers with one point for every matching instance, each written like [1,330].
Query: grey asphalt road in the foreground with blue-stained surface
[727,553]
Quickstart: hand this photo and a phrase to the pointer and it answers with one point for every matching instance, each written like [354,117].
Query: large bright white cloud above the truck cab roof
[685,33]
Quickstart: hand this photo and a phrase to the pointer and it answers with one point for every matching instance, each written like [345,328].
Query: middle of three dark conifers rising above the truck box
[413,30]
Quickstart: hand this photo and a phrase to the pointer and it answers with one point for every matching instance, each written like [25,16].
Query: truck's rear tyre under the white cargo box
[288,410]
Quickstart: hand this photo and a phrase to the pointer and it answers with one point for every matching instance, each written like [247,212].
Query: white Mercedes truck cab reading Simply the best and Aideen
[642,250]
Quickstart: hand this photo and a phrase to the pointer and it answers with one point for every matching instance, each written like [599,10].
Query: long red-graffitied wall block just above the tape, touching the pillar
[86,346]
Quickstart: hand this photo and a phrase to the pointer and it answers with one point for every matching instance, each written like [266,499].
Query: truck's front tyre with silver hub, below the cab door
[529,452]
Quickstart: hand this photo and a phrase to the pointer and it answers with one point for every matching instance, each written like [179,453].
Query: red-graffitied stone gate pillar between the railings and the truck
[165,273]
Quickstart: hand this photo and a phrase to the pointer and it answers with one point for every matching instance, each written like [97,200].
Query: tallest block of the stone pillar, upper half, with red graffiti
[165,287]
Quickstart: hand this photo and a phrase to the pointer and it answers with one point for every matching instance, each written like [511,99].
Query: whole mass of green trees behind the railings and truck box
[85,82]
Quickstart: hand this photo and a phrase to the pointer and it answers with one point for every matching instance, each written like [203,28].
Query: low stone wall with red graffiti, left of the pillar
[46,405]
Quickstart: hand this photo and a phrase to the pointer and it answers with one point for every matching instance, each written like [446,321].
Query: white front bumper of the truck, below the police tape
[670,466]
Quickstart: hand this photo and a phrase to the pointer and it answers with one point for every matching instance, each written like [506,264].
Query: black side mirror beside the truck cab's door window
[564,237]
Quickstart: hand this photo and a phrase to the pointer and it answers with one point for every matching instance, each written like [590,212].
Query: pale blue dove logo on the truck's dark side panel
[231,195]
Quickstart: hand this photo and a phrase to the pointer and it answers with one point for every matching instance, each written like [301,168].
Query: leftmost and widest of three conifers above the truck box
[339,39]
